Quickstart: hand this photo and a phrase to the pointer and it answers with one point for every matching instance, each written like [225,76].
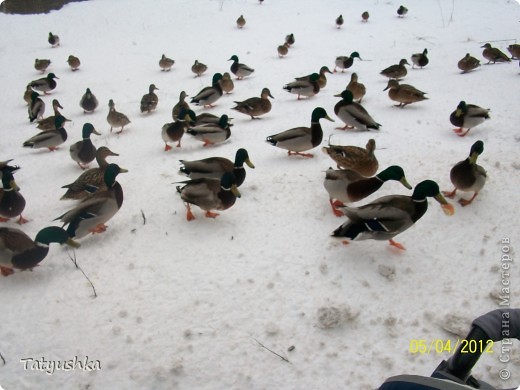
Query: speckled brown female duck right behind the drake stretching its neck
[360,160]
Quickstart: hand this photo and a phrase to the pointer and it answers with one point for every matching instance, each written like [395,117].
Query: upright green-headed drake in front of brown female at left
[91,214]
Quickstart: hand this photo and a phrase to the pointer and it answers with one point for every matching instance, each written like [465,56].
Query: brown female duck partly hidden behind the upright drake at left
[91,180]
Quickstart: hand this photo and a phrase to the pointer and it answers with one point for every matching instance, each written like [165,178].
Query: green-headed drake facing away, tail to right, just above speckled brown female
[353,114]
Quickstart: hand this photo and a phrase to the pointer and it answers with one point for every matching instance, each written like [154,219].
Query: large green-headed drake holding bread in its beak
[390,215]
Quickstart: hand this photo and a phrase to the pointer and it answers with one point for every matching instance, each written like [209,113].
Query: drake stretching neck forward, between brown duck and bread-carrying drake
[346,186]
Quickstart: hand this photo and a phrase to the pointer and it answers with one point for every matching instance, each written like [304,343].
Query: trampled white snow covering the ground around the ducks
[189,305]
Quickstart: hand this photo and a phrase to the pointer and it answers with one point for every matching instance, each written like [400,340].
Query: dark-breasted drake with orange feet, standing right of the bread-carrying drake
[467,175]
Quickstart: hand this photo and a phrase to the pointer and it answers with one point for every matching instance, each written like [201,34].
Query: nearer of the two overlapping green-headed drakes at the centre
[209,194]
